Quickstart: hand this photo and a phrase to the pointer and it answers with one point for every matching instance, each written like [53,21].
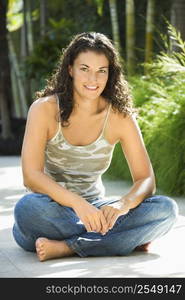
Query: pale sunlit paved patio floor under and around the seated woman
[165,259]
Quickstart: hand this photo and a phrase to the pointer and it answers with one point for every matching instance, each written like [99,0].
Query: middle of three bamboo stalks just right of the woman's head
[130,37]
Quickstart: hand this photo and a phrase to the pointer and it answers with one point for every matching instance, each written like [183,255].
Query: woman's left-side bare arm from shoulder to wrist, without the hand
[35,138]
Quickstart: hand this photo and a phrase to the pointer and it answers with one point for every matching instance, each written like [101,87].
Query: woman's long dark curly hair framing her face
[116,90]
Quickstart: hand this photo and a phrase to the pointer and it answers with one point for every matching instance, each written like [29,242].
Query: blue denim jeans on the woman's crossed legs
[37,215]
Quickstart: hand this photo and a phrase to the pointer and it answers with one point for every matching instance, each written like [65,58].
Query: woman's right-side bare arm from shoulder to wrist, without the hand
[138,162]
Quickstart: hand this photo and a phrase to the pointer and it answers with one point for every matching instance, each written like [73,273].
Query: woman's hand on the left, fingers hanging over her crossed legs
[92,217]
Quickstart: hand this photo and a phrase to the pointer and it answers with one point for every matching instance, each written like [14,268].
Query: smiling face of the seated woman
[90,74]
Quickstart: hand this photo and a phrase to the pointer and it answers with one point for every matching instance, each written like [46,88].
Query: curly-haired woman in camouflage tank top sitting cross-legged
[72,129]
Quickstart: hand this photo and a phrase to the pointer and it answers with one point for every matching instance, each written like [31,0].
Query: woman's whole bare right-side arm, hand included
[140,167]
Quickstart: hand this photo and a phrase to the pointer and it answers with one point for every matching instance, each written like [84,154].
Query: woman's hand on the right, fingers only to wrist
[113,211]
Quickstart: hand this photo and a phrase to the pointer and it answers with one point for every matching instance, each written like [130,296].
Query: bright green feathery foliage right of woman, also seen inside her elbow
[160,98]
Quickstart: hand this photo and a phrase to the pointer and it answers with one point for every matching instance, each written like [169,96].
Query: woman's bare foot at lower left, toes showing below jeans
[49,249]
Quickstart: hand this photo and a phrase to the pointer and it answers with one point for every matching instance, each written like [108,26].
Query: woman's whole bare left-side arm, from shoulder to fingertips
[35,139]
